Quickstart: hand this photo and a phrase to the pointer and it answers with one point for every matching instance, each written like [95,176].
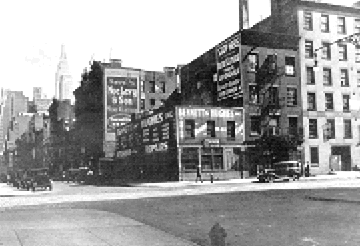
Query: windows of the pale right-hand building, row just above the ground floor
[329,129]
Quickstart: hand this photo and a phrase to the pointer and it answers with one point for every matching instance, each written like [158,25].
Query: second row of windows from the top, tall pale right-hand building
[326,51]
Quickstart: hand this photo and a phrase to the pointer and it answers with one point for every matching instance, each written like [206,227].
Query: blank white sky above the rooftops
[146,34]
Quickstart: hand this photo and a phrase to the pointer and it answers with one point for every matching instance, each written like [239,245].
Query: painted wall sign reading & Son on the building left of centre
[122,100]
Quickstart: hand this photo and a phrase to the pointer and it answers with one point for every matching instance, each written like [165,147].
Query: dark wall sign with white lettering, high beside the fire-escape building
[228,69]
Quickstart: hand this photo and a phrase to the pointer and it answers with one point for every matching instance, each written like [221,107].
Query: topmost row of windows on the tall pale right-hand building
[325,23]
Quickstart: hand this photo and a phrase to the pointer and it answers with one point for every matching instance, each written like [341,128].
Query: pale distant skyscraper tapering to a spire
[63,80]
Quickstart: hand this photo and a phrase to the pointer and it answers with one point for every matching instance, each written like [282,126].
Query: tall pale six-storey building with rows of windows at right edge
[331,125]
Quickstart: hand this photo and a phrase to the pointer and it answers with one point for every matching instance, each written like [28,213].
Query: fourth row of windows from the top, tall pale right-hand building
[329,102]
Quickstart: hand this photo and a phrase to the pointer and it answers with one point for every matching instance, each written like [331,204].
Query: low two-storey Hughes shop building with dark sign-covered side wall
[171,143]
